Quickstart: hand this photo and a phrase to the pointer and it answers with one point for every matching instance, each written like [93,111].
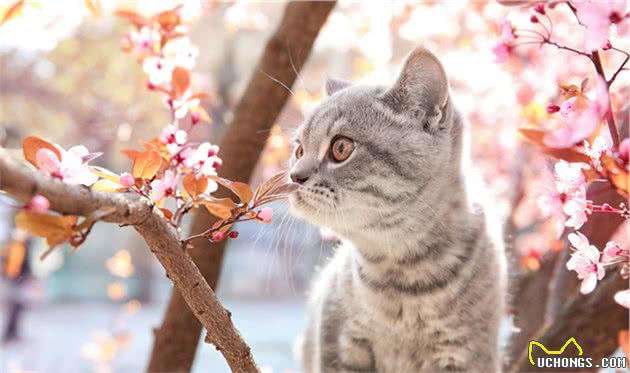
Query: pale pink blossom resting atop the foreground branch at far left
[72,168]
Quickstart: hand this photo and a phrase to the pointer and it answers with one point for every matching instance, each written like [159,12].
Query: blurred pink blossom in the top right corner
[597,16]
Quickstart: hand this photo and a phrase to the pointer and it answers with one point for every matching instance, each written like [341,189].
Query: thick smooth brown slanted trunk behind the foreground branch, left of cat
[266,94]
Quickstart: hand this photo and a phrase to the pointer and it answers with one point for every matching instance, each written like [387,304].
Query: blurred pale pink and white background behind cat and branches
[65,78]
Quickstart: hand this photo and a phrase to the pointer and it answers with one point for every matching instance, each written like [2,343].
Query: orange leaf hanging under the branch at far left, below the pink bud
[56,229]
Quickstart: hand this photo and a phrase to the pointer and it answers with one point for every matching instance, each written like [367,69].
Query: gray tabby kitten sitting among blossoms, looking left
[418,284]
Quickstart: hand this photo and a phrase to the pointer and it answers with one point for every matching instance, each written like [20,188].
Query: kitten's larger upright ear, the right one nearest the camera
[422,86]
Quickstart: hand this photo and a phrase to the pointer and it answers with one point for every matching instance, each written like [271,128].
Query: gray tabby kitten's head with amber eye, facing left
[366,151]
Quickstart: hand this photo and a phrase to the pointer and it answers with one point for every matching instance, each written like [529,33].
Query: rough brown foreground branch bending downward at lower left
[22,184]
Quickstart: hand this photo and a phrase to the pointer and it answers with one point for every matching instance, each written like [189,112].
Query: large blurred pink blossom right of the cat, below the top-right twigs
[580,123]
